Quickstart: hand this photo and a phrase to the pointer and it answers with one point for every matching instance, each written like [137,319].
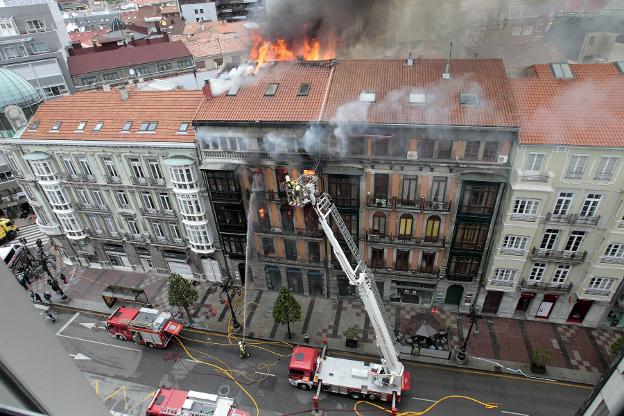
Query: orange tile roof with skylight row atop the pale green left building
[168,108]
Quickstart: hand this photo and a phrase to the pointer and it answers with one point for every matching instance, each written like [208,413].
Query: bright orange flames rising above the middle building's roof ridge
[310,49]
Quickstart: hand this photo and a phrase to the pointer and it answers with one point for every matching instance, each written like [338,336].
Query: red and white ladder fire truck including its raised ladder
[357,379]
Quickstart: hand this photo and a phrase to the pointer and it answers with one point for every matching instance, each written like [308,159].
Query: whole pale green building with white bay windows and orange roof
[122,191]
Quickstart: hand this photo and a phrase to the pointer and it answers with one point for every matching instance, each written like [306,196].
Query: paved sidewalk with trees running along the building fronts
[579,354]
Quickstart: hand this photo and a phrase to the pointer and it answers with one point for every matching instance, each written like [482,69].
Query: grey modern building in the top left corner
[33,43]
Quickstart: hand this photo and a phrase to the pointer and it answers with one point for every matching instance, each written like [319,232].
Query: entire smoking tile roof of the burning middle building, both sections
[391,80]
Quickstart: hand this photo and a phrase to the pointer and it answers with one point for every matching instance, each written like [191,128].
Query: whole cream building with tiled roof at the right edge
[559,247]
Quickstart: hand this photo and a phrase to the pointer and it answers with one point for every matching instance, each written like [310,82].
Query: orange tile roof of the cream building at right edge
[587,110]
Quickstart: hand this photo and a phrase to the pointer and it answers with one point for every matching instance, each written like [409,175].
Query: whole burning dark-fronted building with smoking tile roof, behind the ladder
[419,187]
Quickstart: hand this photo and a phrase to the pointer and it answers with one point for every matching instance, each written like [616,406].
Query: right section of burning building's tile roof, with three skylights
[393,80]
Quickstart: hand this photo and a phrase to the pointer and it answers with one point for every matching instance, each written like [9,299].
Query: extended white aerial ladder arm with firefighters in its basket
[303,191]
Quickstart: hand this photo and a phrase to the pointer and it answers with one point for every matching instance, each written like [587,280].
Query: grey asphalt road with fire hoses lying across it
[126,375]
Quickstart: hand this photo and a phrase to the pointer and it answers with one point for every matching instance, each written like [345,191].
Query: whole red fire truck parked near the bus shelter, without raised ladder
[144,326]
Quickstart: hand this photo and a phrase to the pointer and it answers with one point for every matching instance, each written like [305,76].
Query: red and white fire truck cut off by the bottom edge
[168,402]
